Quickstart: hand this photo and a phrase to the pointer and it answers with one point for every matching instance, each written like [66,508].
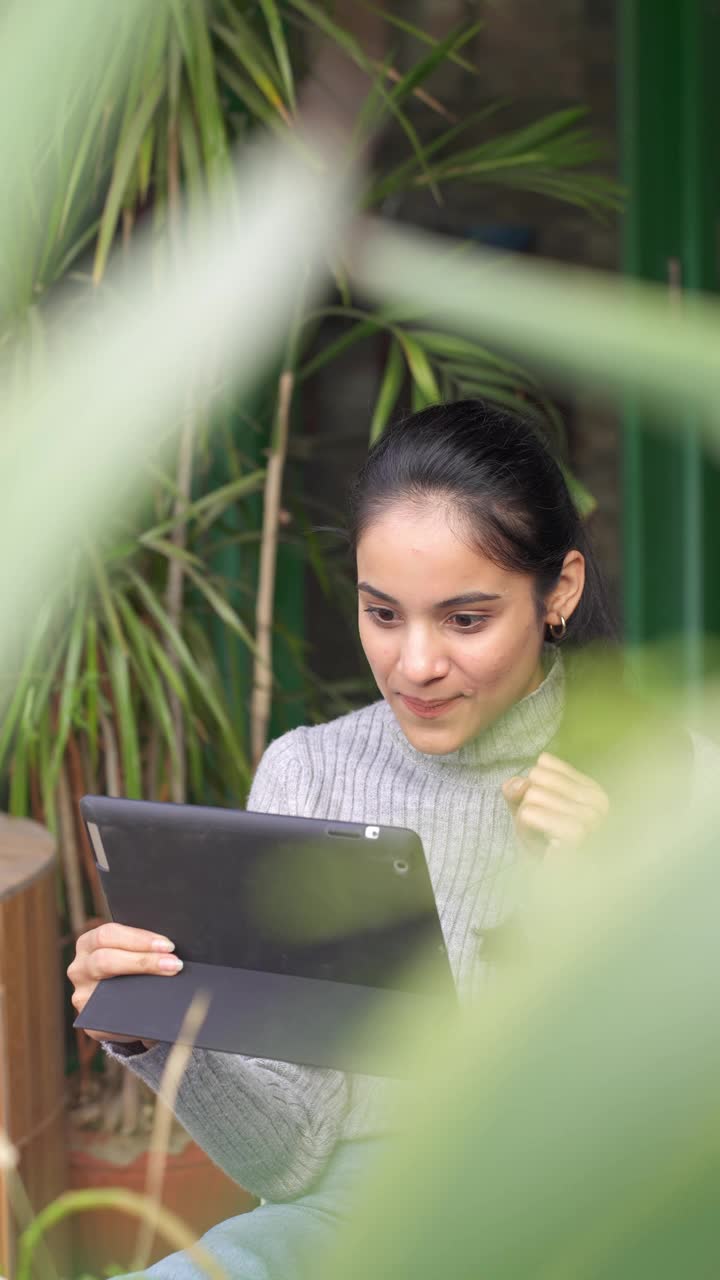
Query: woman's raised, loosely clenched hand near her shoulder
[555,807]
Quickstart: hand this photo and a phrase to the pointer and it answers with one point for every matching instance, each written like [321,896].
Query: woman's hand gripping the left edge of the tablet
[112,950]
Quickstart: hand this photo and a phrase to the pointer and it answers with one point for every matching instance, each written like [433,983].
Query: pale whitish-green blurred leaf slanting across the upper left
[115,386]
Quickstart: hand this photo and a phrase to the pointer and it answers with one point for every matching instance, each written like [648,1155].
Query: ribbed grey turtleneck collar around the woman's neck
[521,734]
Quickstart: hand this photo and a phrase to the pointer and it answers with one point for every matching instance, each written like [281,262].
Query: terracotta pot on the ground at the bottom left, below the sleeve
[194,1188]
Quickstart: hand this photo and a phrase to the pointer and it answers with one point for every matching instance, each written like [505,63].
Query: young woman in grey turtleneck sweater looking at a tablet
[475,578]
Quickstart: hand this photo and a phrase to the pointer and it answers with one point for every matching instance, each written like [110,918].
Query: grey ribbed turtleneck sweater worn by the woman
[271,1126]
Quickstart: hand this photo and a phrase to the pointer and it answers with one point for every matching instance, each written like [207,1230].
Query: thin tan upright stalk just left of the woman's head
[263,668]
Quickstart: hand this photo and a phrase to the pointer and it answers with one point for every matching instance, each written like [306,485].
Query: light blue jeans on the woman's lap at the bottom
[281,1242]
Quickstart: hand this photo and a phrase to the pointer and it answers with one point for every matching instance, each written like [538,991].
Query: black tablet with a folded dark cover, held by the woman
[303,932]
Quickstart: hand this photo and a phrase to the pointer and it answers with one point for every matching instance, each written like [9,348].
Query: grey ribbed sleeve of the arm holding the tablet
[270,1126]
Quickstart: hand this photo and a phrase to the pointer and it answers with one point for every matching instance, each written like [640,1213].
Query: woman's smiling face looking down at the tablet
[453,641]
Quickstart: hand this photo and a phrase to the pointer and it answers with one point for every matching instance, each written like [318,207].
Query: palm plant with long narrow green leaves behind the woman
[122,688]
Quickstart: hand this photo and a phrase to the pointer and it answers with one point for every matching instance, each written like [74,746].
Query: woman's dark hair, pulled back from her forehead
[502,481]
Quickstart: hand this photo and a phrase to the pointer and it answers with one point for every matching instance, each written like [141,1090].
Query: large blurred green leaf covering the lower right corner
[568,1131]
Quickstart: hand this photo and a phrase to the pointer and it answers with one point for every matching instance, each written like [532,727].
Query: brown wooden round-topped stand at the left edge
[31,1021]
